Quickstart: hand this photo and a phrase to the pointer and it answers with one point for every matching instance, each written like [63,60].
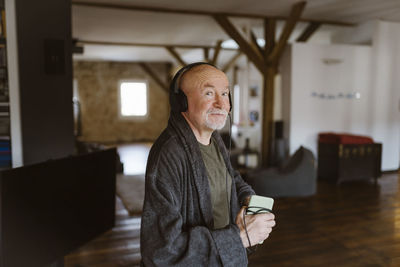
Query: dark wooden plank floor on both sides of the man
[354,224]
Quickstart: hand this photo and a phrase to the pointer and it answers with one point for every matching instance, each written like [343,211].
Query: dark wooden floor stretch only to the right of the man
[354,224]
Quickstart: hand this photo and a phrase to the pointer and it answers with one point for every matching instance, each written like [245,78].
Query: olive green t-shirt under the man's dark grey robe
[220,183]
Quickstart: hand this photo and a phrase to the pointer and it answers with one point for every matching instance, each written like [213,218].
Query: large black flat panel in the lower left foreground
[51,208]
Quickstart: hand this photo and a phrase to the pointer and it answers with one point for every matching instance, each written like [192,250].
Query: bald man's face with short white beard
[207,91]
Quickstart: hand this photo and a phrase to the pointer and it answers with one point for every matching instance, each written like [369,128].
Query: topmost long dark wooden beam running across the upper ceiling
[199,12]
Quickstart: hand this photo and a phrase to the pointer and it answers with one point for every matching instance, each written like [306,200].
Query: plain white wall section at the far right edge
[385,94]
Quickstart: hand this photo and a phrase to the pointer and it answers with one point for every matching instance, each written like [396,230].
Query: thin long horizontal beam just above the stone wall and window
[151,45]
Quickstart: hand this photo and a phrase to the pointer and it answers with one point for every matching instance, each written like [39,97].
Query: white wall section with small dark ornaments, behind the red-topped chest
[310,75]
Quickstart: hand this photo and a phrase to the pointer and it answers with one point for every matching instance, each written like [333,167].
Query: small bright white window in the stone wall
[133,99]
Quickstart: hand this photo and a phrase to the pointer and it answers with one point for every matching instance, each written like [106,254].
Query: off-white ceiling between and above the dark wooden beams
[132,26]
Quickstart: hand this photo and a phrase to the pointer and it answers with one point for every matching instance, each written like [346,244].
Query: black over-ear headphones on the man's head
[177,97]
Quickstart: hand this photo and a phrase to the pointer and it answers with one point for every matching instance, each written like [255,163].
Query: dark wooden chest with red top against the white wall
[346,157]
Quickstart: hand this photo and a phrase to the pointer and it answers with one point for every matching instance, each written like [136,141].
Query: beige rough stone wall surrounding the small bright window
[98,90]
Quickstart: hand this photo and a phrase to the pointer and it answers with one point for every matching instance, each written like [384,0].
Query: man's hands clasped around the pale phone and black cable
[259,226]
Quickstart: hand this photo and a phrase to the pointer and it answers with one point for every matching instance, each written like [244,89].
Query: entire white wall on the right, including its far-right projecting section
[370,71]
